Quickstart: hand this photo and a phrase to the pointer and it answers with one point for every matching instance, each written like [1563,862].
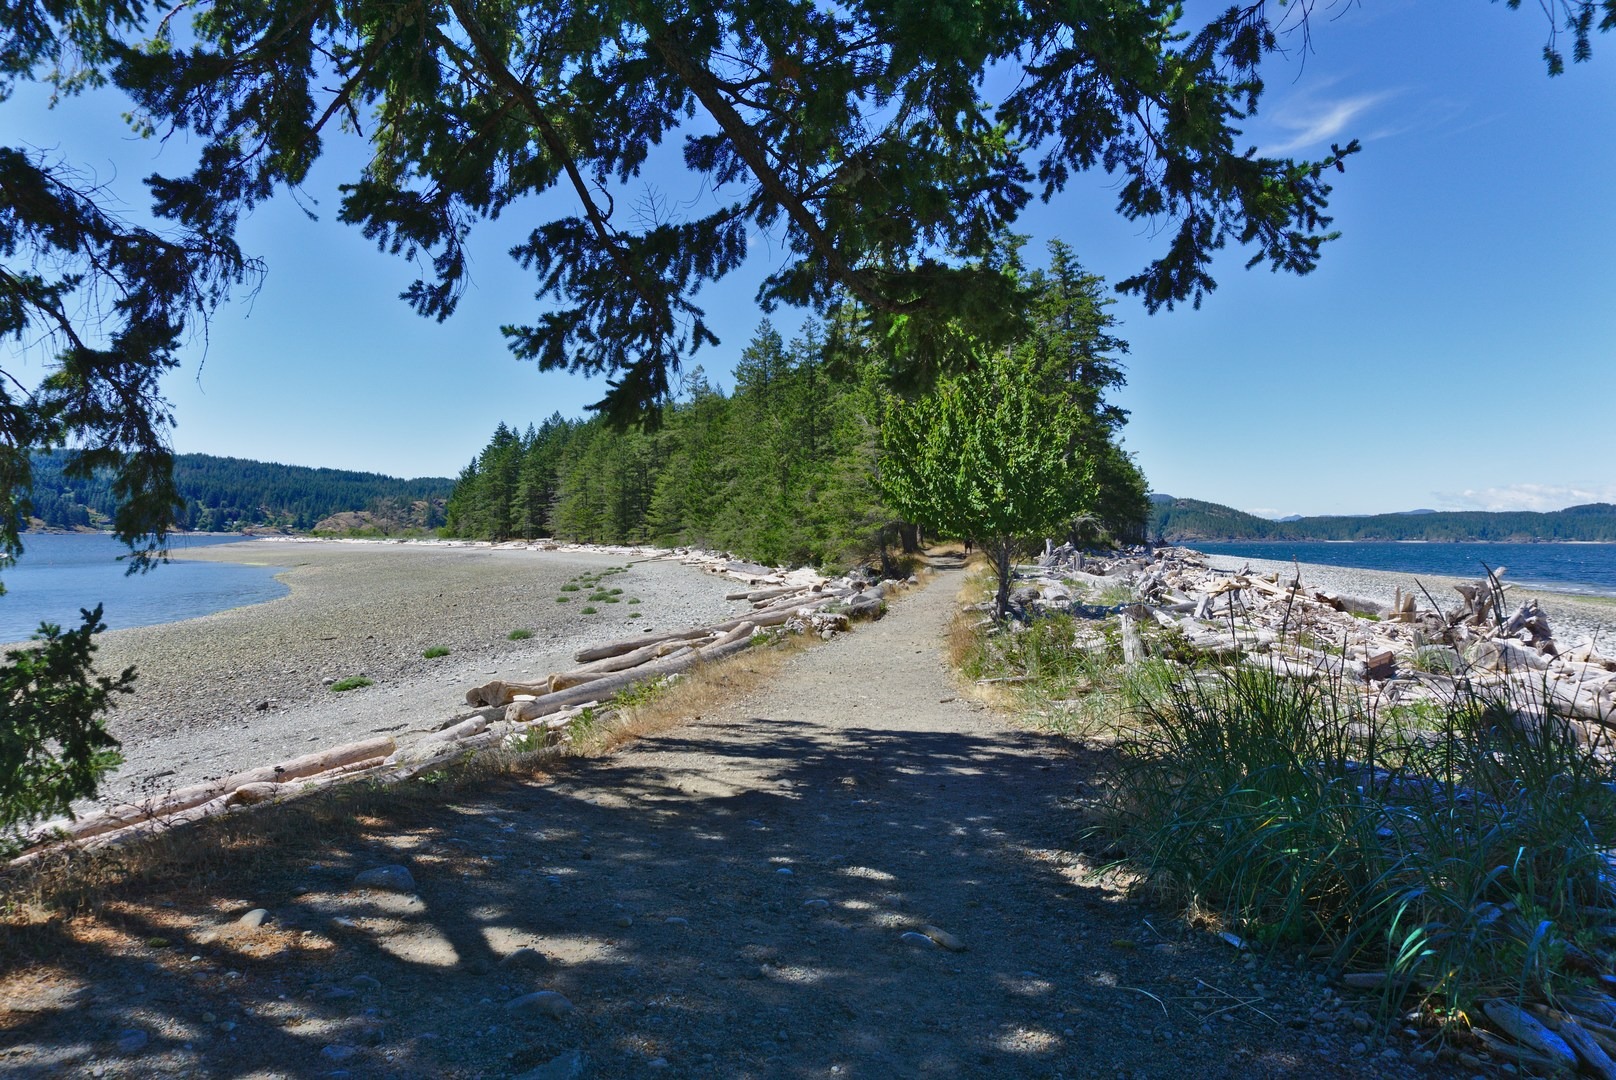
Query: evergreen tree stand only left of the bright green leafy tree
[783,470]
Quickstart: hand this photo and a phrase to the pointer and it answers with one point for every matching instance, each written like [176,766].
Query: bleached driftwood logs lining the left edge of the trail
[510,714]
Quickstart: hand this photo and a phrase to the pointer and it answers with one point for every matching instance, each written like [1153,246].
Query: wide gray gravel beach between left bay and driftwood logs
[248,688]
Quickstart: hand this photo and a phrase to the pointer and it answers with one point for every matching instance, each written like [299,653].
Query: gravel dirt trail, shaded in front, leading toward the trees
[728,900]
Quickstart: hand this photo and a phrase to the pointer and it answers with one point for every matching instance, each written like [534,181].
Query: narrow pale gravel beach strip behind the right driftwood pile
[1576,620]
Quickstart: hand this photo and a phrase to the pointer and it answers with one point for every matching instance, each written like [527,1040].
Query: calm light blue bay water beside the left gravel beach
[59,575]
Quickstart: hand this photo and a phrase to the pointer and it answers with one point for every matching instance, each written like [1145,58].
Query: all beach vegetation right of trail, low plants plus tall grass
[1439,851]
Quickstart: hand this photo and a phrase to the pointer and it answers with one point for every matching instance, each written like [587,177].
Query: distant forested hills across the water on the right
[1184,520]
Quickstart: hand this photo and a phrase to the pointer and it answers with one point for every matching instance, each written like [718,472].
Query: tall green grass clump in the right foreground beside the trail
[1460,861]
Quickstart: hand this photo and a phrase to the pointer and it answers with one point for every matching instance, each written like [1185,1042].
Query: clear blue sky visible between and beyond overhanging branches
[1457,350]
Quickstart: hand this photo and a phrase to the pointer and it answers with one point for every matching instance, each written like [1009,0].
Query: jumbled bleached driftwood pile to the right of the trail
[1395,652]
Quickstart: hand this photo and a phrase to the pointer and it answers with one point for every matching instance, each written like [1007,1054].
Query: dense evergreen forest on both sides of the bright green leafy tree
[786,468]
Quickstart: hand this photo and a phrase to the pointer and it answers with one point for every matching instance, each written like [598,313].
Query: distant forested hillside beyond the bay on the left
[230,494]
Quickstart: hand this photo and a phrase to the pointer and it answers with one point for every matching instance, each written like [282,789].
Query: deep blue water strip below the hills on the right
[1581,568]
